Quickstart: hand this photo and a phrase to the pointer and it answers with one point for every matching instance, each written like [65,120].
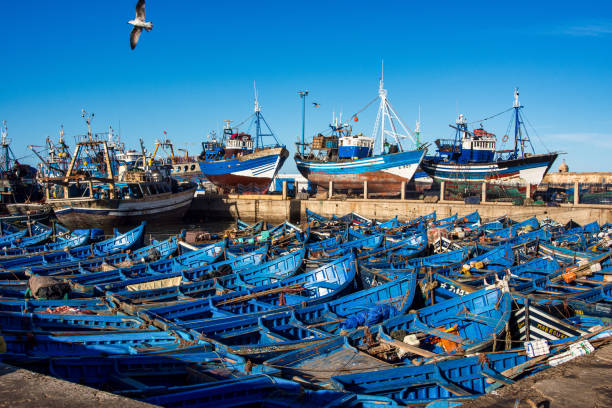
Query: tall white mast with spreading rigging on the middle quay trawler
[386,115]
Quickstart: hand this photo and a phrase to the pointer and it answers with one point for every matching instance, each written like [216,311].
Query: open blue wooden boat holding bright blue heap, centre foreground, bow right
[263,335]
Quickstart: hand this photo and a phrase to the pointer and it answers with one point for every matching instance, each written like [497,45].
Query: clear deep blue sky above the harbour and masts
[197,67]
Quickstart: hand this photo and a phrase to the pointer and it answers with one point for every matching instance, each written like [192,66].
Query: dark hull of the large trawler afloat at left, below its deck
[92,213]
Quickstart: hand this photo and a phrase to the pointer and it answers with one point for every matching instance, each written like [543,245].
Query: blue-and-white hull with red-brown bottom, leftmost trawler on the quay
[249,173]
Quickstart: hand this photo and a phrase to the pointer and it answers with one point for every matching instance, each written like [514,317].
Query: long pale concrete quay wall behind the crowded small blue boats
[274,208]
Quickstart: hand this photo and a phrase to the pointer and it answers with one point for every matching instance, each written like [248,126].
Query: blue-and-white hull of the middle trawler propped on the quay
[384,173]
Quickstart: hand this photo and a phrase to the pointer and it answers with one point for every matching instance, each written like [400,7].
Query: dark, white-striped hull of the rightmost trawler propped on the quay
[529,170]
